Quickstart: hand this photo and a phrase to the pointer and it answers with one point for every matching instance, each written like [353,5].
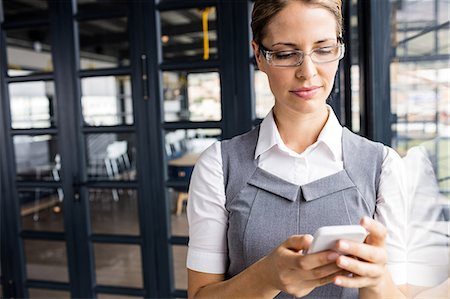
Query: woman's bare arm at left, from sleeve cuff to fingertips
[285,269]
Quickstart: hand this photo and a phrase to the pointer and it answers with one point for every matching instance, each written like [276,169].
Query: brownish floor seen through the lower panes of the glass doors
[115,264]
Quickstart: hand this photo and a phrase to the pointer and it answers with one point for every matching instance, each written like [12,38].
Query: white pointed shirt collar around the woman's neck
[330,136]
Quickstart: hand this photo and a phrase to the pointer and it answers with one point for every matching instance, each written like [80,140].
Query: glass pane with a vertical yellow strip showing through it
[183,34]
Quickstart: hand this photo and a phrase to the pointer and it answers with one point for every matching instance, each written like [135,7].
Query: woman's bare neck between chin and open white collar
[300,130]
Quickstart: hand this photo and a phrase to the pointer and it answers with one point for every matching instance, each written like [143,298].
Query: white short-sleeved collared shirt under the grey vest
[208,218]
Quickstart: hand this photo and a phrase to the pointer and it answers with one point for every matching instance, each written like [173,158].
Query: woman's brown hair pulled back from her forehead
[265,10]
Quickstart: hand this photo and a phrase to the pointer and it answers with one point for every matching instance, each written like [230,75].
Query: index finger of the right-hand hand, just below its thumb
[363,251]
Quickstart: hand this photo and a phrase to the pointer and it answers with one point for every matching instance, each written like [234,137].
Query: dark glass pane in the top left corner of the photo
[25,9]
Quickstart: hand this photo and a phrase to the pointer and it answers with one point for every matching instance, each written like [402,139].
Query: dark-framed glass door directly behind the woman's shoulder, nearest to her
[200,51]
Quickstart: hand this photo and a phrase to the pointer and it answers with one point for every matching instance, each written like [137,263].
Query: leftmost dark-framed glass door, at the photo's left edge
[34,209]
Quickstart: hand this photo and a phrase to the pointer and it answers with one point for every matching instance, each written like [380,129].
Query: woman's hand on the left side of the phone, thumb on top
[289,270]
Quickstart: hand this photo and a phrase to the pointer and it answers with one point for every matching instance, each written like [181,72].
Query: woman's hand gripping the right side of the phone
[366,261]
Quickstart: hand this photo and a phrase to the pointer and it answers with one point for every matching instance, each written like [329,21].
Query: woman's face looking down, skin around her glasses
[303,88]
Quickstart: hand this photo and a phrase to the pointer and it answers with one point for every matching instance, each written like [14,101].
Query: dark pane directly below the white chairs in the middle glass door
[114,211]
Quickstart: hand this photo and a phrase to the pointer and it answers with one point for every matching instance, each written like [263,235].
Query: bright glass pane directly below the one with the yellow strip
[191,96]
